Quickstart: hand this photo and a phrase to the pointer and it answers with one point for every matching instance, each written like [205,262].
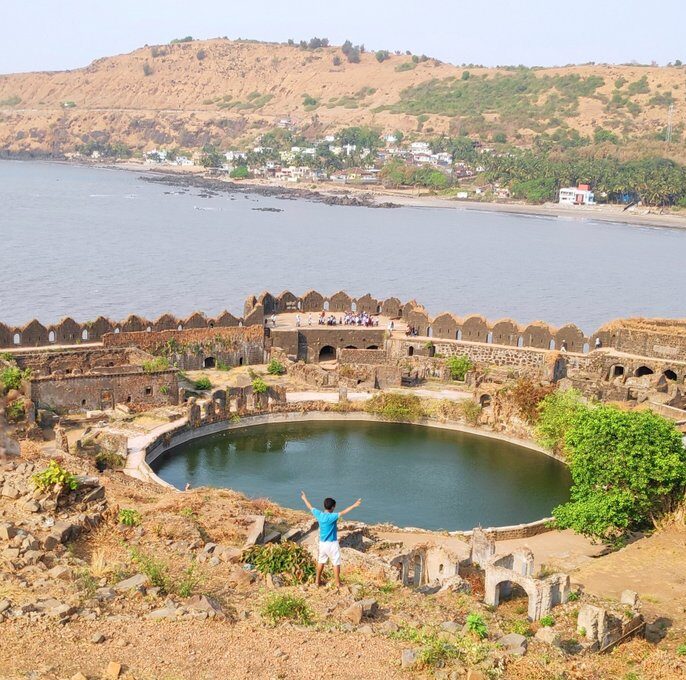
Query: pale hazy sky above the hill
[60,34]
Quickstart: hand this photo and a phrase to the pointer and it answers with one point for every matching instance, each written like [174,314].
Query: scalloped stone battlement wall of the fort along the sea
[660,338]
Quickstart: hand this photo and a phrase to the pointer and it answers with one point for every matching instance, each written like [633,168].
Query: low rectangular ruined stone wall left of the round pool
[94,392]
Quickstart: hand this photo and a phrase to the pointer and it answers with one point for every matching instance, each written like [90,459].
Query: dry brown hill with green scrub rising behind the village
[227,92]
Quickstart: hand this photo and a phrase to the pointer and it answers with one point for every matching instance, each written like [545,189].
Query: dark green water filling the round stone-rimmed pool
[406,474]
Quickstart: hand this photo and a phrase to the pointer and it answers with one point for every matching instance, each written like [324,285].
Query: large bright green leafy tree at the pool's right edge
[628,468]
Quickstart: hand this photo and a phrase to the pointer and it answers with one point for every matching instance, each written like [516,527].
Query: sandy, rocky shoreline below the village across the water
[379,197]
